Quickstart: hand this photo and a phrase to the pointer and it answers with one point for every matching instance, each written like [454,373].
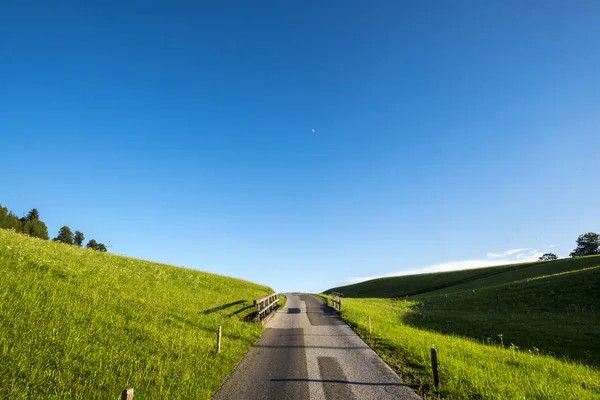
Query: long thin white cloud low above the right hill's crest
[513,256]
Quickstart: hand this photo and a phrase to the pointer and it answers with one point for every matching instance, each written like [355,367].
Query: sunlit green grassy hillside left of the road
[76,323]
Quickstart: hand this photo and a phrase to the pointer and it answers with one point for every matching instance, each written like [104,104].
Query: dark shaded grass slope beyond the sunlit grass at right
[556,314]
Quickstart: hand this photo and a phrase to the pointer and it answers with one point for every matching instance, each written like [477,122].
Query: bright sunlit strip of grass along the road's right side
[468,369]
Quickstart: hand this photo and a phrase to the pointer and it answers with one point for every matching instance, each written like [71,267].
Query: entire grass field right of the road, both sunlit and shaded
[528,331]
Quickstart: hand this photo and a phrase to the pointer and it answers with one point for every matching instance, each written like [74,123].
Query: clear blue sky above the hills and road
[447,134]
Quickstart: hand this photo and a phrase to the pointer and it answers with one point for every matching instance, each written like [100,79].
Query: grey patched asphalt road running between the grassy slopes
[308,353]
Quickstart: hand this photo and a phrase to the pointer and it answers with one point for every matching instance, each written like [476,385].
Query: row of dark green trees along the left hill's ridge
[32,225]
